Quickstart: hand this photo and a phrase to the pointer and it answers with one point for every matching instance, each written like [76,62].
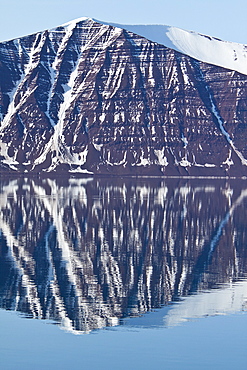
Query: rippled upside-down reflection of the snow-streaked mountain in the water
[87,252]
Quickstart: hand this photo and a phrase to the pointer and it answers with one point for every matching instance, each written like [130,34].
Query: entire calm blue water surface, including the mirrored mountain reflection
[154,272]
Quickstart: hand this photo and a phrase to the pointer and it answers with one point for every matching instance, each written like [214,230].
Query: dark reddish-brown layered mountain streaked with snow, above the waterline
[94,98]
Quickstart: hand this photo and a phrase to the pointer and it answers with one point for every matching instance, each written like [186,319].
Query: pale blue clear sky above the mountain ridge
[225,19]
